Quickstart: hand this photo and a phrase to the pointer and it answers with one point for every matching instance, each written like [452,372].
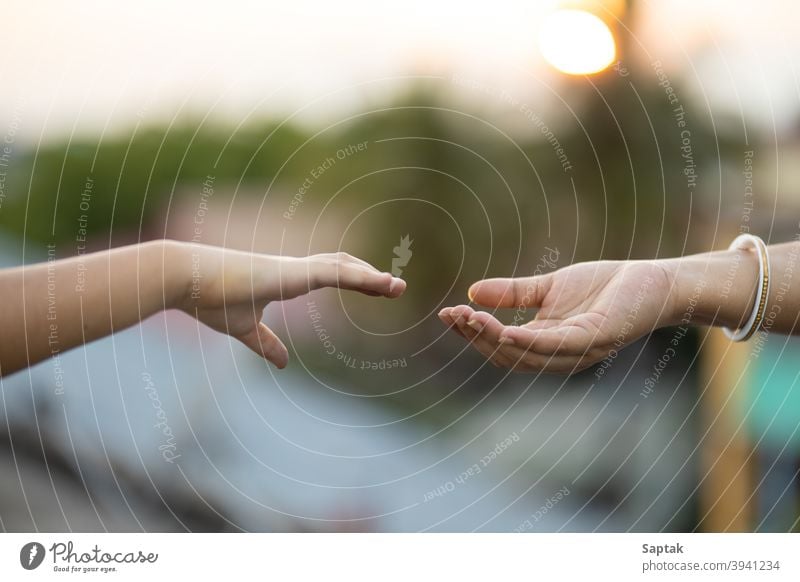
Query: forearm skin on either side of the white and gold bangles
[719,288]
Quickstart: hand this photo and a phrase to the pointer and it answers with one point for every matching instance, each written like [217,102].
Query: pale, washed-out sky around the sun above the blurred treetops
[94,64]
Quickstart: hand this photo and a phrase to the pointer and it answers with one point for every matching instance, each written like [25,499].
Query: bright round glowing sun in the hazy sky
[576,42]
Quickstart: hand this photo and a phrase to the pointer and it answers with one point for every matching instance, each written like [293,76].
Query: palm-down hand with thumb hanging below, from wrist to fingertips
[228,290]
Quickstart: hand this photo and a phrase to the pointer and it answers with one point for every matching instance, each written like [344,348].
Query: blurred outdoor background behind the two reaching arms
[449,140]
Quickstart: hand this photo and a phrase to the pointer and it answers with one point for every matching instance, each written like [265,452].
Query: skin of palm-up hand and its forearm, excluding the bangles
[579,314]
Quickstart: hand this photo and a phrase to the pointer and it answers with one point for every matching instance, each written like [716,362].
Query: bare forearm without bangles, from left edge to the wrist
[54,306]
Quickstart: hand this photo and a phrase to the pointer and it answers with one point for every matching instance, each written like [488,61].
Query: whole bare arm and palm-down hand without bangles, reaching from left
[51,307]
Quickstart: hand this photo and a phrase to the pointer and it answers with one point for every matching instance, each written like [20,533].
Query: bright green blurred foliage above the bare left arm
[132,176]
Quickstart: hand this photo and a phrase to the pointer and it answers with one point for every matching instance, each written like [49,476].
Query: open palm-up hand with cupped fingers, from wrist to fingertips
[584,311]
